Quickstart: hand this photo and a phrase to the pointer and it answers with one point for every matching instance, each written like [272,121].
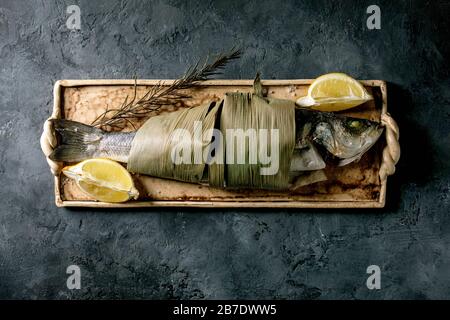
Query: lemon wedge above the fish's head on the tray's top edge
[334,92]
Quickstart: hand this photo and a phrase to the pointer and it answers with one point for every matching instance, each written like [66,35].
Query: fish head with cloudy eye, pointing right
[346,137]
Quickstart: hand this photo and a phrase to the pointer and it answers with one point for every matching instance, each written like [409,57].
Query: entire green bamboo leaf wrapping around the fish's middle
[243,114]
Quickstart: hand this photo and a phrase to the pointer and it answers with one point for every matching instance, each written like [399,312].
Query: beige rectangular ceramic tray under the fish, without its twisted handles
[354,186]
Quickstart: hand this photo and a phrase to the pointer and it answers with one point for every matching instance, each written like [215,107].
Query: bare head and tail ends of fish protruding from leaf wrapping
[345,138]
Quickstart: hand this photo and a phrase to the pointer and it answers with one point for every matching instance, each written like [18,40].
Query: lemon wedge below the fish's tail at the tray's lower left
[102,179]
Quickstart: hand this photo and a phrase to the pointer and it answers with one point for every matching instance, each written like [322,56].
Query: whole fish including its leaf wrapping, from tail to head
[244,140]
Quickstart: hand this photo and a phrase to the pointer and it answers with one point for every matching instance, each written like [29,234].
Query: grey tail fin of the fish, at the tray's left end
[78,141]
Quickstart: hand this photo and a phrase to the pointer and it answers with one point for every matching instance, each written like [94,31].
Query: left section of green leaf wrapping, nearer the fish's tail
[152,147]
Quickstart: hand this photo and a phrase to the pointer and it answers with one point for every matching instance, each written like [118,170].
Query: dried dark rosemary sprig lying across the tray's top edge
[161,95]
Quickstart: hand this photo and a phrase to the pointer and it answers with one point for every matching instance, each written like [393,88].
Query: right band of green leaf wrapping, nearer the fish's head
[250,111]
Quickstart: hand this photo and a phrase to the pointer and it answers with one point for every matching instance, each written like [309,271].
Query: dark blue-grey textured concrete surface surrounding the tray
[190,253]
